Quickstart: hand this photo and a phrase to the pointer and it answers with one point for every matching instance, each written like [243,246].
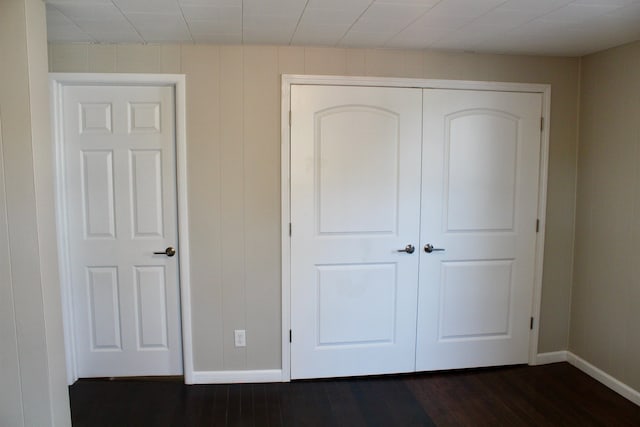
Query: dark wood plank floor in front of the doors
[550,395]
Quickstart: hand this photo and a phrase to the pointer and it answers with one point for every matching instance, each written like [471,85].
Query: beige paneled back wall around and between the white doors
[233,119]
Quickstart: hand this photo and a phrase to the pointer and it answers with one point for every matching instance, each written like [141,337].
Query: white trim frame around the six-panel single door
[57,82]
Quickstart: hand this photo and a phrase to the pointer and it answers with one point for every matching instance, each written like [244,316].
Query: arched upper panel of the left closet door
[357,166]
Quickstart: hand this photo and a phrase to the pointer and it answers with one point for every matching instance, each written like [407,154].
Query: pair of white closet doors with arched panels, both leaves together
[413,237]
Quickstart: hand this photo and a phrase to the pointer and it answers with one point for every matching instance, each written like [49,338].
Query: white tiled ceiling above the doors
[539,27]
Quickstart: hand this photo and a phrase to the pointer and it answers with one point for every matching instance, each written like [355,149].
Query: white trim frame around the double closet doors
[292,79]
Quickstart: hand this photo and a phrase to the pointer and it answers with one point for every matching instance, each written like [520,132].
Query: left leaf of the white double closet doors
[355,212]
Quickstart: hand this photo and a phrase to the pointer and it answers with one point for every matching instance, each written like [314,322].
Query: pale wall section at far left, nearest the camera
[33,391]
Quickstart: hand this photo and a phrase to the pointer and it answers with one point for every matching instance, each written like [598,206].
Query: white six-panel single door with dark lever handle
[119,144]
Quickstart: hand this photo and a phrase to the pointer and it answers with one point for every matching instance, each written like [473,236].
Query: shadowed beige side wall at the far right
[605,315]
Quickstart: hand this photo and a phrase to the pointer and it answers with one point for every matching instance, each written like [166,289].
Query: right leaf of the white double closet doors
[480,177]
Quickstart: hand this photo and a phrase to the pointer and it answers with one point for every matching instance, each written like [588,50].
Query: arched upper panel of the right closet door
[480,177]
